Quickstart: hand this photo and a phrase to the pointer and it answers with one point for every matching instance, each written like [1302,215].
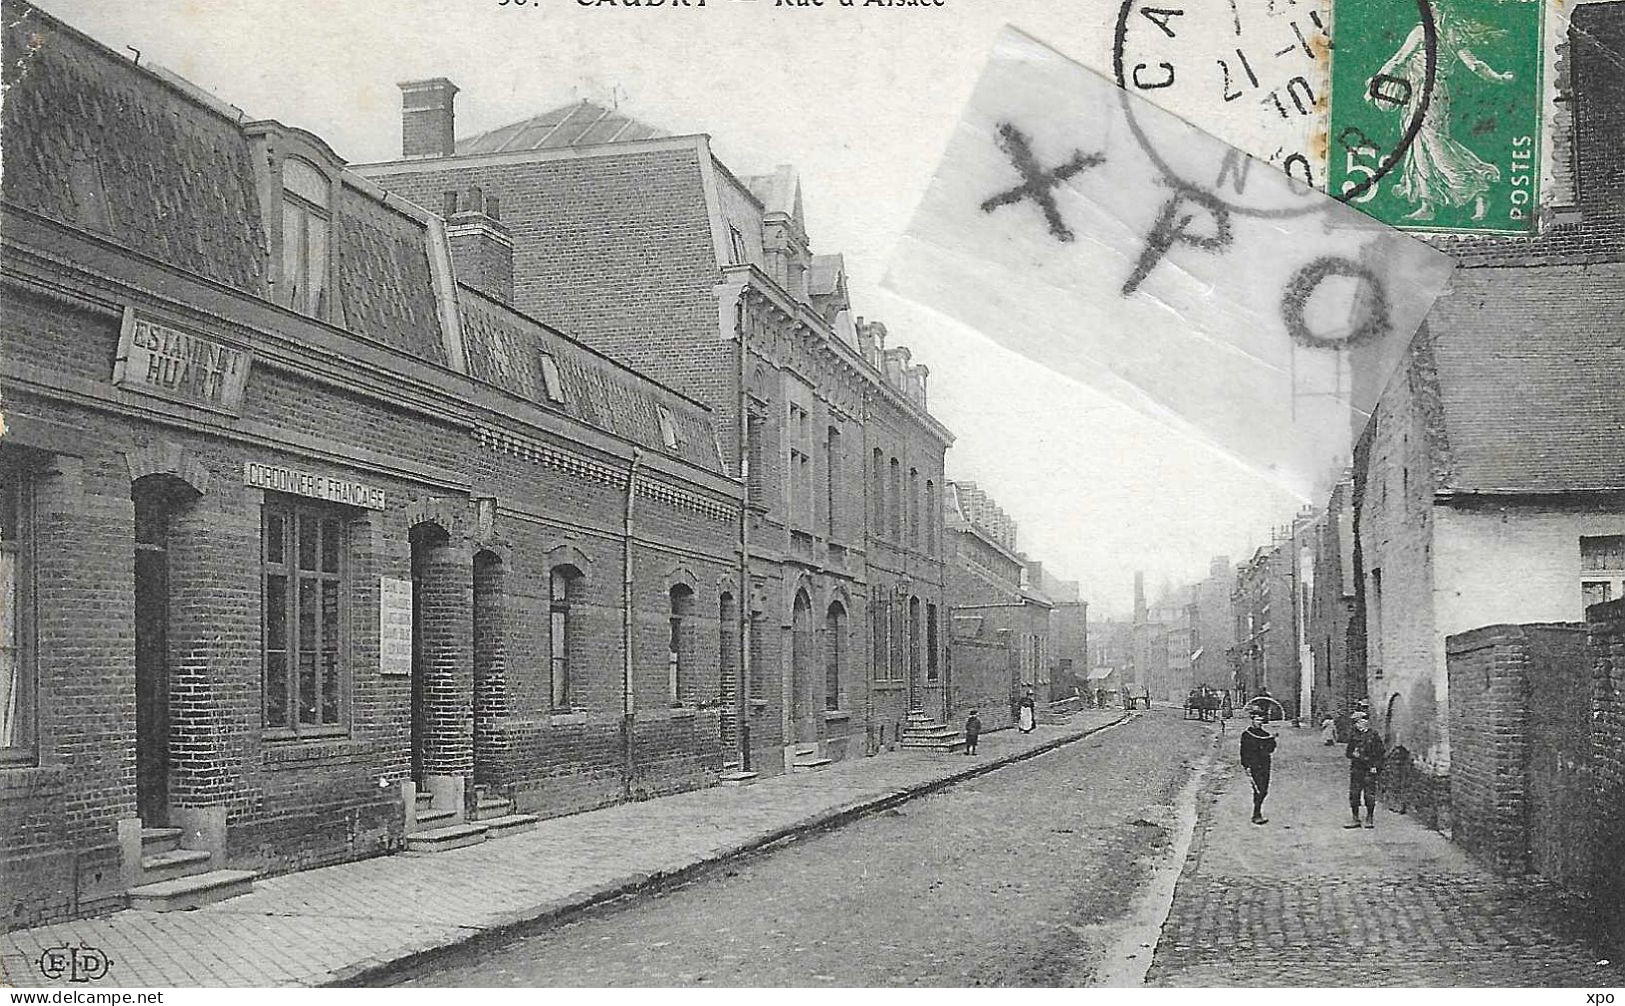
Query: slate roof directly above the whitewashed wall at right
[1532,379]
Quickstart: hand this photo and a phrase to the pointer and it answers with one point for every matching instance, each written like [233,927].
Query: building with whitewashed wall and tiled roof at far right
[1491,483]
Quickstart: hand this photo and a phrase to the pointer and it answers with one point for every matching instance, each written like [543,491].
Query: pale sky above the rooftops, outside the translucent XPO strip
[862,102]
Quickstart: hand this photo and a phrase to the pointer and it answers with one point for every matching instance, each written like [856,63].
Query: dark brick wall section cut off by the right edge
[1608,761]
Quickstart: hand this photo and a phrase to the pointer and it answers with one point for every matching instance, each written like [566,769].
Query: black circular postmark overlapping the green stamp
[1242,76]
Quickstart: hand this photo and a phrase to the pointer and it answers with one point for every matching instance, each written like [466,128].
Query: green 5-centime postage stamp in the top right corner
[1436,113]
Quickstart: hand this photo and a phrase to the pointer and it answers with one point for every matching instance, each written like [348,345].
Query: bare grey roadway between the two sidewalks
[1013,878]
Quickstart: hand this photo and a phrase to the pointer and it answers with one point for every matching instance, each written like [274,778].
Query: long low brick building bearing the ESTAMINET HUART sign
[308,545]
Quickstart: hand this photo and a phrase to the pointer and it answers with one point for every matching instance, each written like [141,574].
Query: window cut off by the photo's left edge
[17,602]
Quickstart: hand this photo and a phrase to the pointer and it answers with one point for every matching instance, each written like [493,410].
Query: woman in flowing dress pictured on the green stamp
[1437,170]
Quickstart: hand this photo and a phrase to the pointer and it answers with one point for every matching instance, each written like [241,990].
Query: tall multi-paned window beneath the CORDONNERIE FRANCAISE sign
[305,618]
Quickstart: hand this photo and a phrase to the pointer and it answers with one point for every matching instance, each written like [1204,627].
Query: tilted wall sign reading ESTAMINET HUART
[158,358]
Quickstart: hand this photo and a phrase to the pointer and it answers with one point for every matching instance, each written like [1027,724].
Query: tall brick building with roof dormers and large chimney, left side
[652,251]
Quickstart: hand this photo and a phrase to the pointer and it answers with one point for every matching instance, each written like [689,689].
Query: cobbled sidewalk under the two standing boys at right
[1302,901]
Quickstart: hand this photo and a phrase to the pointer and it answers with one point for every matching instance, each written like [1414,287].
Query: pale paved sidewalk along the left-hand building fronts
[342,922]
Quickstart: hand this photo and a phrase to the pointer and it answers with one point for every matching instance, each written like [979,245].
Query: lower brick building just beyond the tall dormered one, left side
[992,602]
